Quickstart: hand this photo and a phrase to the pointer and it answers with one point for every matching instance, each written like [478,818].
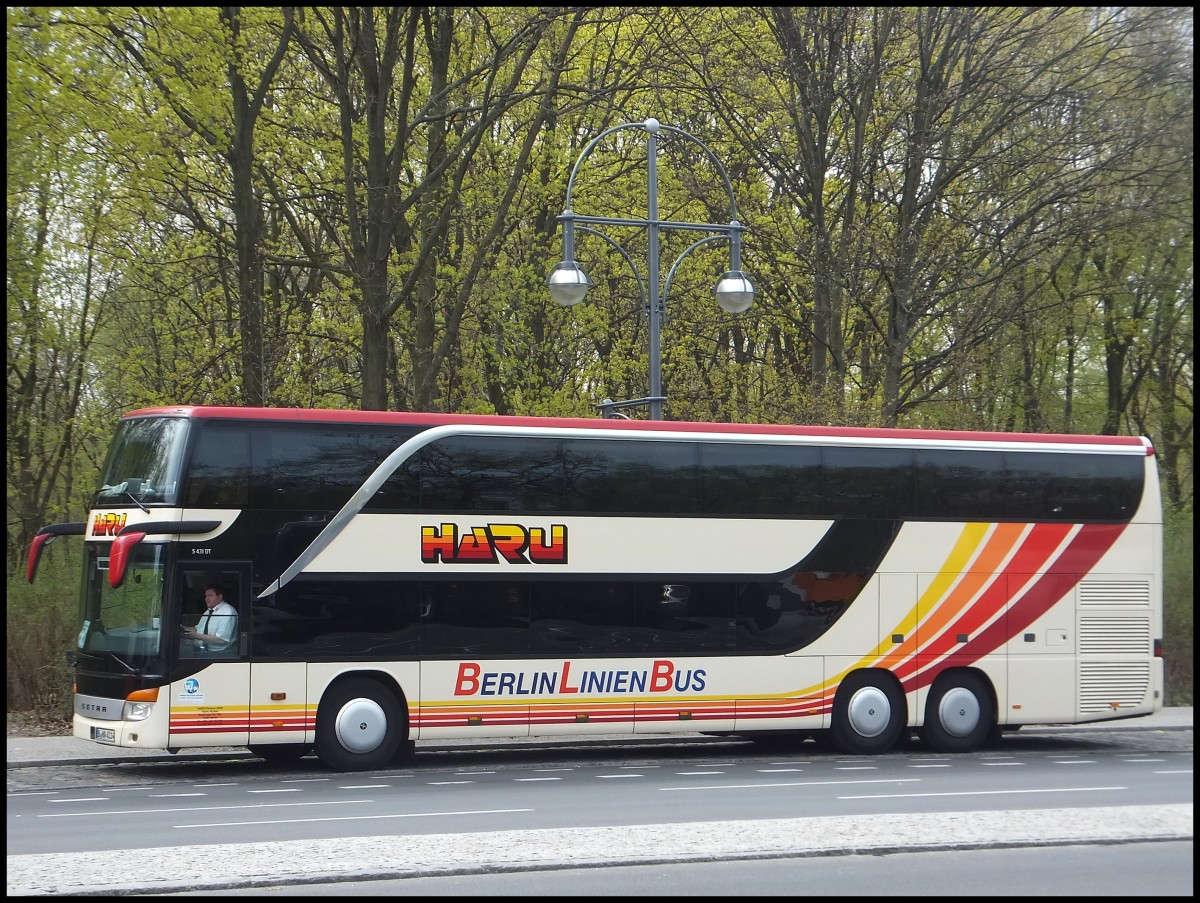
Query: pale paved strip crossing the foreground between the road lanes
[381,858]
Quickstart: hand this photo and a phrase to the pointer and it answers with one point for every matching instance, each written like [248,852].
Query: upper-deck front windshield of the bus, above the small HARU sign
[145,463]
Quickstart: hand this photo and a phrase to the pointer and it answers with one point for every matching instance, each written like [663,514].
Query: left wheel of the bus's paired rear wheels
[869,714]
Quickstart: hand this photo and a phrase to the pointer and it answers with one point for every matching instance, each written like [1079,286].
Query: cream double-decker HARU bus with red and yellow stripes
[401,577]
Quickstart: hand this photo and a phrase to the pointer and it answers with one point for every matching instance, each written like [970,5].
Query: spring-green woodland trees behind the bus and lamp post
[958,218]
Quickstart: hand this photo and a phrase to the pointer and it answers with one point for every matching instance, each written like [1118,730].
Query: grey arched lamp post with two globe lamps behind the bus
[568,283]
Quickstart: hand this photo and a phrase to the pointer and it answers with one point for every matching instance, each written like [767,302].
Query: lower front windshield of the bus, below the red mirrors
[124,626]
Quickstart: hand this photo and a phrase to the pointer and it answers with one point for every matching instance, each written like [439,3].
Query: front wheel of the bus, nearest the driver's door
[361,726]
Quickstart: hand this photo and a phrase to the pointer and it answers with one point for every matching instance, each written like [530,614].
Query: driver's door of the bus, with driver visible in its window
[211,701]
